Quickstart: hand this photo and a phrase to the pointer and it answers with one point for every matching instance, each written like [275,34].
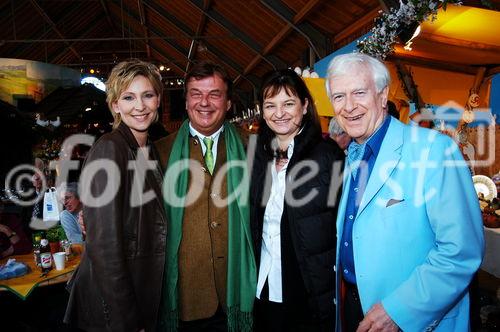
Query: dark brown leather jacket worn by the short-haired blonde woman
[118,284]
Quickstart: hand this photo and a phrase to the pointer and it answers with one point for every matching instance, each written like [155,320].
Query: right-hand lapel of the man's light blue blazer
[387,160]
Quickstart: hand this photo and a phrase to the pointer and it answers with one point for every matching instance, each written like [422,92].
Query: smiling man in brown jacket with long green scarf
[210,274]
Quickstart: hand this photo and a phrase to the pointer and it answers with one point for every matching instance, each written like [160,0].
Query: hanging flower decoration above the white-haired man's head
[390,24]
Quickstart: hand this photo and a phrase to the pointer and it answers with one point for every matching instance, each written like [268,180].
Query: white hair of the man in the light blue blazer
[341,64]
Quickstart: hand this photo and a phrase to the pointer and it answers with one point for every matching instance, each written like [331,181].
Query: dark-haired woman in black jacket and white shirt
[294,197]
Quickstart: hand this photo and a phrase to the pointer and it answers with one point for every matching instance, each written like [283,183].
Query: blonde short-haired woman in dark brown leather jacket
[117,285]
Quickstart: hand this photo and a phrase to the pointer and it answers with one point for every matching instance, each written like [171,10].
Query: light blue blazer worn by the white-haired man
[418,234]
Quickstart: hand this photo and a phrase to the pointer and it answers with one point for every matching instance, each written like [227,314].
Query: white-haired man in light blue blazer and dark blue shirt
[409,228]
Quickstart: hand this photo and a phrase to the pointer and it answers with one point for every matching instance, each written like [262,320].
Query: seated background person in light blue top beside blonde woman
[69,216]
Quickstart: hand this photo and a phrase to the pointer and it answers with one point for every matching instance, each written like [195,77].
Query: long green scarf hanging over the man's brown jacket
[241,270]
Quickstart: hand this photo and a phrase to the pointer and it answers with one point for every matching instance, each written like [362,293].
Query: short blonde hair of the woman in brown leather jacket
[123,74]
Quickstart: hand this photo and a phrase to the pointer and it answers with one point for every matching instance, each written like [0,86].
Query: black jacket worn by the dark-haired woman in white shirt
[308,233]
